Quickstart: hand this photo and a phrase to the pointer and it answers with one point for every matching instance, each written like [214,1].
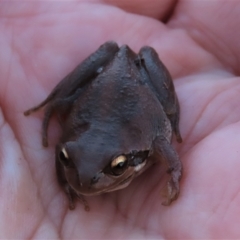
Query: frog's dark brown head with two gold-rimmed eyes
[100,162]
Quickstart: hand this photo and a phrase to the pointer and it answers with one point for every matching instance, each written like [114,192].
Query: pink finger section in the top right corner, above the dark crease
[214,25]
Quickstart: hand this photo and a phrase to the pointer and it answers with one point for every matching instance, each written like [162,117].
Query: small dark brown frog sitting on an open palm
[118,112]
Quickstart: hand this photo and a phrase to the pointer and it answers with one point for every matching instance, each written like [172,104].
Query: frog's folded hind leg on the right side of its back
[162,85]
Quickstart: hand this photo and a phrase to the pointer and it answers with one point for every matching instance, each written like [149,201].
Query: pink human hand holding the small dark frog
[42,41]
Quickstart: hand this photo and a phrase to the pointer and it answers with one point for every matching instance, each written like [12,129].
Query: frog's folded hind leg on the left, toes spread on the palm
[70,87]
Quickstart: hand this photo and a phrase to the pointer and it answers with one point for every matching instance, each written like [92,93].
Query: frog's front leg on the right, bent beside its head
[164,150]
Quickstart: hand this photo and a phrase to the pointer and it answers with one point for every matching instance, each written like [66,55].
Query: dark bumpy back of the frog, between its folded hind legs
[120,97]
